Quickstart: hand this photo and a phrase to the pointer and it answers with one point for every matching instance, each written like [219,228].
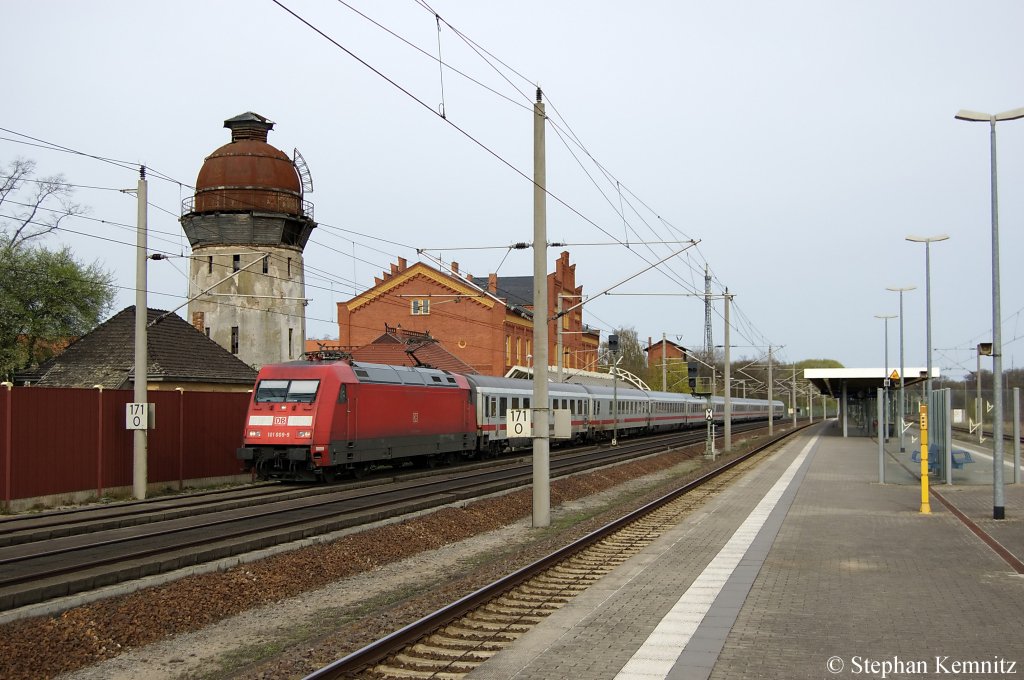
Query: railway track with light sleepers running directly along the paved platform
[453,642]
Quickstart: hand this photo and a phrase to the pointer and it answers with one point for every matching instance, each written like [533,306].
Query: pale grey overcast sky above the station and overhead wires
[799,142]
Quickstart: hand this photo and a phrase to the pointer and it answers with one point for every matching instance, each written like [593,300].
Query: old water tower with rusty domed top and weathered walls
[248,226]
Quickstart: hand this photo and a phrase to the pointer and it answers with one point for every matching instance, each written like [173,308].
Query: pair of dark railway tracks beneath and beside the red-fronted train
[54,556]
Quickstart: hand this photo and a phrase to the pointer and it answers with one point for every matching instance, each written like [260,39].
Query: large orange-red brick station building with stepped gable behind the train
[487,323]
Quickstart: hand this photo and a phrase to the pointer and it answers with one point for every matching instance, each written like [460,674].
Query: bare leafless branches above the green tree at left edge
[31,208]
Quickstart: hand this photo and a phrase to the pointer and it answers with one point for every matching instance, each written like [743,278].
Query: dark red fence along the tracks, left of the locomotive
[60,441]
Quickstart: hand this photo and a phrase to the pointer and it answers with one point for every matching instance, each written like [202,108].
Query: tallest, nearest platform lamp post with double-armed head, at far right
[999,507]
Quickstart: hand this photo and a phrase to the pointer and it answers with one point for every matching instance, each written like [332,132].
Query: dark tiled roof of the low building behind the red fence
[179,357]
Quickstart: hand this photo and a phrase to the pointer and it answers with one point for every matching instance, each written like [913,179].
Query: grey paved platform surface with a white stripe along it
[805,569]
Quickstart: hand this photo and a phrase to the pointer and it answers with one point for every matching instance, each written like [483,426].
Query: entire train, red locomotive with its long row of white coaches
[324,419]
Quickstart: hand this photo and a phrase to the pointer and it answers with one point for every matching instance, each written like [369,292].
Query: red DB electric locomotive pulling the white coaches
[314,420]
